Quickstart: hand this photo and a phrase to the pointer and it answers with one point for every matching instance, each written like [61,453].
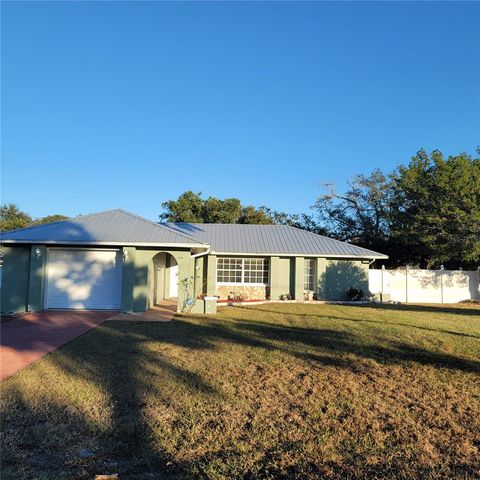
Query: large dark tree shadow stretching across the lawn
[118,357]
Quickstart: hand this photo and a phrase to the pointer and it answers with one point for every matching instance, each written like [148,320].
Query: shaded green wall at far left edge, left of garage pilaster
[15,276]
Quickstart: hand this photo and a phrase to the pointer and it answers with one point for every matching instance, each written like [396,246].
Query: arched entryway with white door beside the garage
[165,278]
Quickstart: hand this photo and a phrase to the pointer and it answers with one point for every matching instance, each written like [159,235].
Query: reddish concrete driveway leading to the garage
[27,339]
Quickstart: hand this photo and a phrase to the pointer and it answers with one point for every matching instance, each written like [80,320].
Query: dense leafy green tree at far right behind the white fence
[436,210]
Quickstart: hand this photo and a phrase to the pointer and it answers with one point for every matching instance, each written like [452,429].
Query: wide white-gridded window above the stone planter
[242,270]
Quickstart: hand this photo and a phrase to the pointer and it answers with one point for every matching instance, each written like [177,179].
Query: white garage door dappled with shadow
[84,279]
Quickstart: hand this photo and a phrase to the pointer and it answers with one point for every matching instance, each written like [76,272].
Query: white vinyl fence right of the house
[413,285]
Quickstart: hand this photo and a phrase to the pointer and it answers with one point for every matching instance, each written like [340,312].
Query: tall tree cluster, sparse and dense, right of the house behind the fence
[426,213]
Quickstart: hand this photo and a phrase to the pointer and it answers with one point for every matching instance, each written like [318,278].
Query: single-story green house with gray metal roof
[118,260]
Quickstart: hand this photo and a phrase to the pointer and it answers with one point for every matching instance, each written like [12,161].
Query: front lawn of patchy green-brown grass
[272,391]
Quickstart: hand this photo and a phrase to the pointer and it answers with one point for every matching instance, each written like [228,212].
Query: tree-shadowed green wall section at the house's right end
[340,275]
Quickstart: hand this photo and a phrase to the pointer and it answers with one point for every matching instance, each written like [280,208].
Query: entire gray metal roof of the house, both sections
[119,227]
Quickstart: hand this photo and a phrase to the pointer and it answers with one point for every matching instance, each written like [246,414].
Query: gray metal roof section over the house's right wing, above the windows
[270,239]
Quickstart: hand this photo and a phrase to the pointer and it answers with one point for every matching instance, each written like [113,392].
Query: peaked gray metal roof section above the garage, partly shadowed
[114,227]
